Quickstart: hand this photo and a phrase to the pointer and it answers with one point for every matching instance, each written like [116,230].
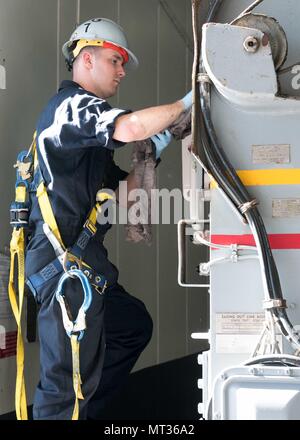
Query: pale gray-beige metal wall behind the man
[31,35]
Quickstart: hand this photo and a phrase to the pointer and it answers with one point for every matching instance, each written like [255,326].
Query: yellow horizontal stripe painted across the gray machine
[287,176]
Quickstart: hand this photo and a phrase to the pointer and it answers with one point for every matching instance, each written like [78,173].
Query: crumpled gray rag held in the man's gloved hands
[144,165]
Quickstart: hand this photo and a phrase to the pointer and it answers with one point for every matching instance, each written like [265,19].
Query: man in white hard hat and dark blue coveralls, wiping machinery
[77,134]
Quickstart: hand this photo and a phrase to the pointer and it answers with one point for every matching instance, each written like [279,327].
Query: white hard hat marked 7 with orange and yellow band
[98,32]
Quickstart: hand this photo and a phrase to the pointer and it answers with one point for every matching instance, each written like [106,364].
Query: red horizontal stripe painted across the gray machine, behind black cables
[277,241]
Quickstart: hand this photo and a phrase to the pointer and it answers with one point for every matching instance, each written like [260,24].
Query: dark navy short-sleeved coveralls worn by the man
[75,152]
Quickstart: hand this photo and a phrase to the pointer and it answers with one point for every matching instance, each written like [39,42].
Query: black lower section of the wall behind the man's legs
[166,391]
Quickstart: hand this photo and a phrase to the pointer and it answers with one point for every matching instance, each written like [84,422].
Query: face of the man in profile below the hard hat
[107,72]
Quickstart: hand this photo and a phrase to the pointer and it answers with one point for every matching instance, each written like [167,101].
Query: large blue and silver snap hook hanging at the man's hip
[79,324]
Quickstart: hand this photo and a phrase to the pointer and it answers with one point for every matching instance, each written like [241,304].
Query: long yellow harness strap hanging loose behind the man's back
[17,251]
